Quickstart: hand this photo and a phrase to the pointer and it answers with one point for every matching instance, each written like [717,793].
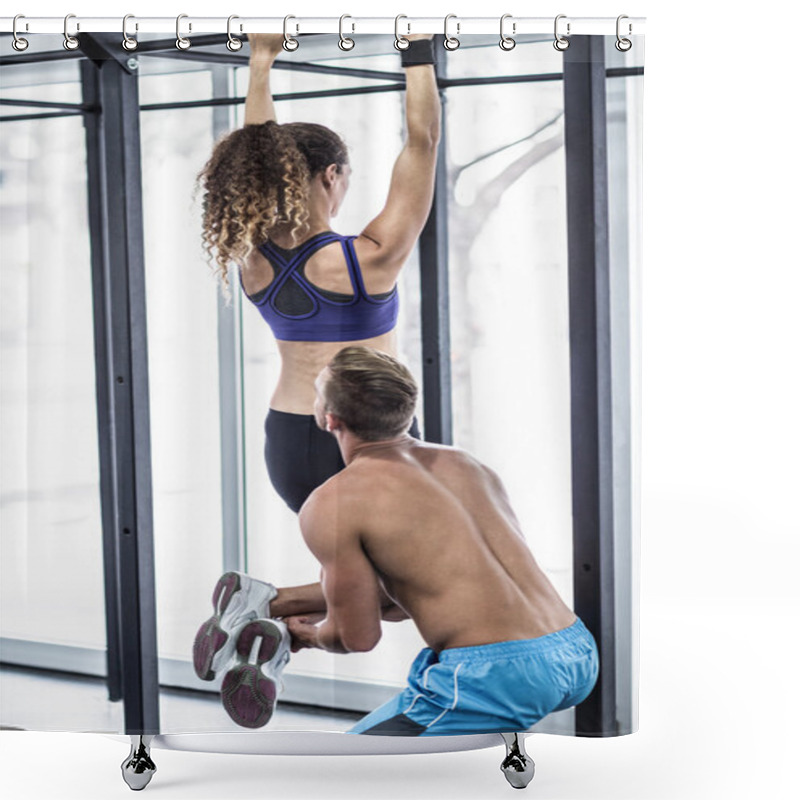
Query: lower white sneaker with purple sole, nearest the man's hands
[250,687]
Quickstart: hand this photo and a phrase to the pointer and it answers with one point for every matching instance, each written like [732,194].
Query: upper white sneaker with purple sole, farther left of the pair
[238,599]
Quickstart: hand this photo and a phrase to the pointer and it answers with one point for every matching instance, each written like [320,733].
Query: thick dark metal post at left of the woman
[121,364]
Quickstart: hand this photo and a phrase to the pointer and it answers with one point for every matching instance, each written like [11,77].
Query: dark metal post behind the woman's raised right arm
[435,301]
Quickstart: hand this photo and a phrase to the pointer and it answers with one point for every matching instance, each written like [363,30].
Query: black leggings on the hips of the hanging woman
[301,456]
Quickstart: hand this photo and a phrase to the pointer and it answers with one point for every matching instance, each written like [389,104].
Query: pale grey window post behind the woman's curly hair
[231,413]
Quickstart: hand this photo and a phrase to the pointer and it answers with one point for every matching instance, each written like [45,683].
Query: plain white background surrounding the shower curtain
[719,607]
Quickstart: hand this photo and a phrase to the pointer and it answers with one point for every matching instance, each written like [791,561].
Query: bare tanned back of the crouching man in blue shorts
[436,529]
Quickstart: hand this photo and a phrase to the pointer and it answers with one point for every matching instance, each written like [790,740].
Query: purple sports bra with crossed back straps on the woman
[298,311]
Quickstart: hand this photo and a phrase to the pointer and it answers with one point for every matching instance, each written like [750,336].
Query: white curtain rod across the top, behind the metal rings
[459,26]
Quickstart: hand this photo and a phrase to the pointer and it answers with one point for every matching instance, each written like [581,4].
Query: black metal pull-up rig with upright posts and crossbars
[111,111]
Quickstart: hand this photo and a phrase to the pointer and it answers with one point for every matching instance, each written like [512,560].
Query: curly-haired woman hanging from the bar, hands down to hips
[270,193]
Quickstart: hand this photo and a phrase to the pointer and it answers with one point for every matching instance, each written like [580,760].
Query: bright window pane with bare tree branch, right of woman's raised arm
[508,294]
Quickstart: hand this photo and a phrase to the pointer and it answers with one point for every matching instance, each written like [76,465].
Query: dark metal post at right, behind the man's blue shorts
[590,368]
